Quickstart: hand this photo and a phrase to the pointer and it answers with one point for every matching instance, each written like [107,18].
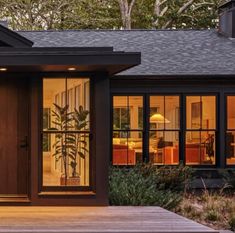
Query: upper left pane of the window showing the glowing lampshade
[157,116]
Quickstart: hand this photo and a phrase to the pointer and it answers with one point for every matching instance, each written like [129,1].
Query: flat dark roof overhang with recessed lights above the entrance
[50,59]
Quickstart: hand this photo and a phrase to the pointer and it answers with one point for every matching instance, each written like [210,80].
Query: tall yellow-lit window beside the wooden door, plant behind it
[66,130]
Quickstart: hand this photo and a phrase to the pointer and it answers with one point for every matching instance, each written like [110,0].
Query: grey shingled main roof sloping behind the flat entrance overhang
[164,52]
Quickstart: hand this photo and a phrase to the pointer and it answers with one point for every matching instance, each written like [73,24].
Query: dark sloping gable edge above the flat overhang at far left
[9,38]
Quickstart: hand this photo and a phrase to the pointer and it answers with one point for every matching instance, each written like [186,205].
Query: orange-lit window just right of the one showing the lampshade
[200,135]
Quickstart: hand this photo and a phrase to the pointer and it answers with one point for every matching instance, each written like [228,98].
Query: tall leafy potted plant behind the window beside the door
[68,146]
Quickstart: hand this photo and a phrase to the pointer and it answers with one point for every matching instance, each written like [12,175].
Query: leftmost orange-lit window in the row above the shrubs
[127,130]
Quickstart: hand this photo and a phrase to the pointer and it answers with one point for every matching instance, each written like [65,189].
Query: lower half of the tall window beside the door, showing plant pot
[66,163]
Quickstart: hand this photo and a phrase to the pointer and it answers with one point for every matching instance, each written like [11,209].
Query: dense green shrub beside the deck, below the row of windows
[144,185]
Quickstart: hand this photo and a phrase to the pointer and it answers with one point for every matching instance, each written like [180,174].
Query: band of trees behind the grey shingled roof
[109,14]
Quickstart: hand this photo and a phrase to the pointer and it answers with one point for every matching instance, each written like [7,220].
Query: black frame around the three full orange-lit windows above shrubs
[182,110]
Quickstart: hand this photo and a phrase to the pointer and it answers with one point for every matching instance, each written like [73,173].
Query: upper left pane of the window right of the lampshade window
[193,112]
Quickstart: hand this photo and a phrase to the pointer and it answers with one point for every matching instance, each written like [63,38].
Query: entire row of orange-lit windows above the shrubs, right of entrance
[164,130]
